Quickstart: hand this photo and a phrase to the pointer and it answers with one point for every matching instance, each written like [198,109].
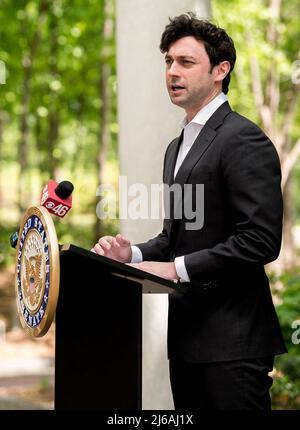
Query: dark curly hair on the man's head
[218,45]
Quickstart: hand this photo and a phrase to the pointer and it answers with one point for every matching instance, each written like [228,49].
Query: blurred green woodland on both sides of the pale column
[58,119]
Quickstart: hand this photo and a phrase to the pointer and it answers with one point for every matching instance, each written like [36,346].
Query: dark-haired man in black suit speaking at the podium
[223,333]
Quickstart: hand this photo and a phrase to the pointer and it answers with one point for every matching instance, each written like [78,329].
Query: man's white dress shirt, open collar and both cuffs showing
[191,131]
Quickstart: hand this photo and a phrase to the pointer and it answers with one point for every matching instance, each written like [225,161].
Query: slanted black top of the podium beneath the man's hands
[151,283]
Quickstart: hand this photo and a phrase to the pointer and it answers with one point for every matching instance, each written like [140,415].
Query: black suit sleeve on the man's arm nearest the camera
[251,173]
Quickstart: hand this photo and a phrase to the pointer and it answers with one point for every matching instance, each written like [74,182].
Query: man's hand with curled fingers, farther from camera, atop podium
[117,248]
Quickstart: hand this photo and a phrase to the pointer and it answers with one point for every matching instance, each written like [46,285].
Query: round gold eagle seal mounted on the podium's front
[37,271]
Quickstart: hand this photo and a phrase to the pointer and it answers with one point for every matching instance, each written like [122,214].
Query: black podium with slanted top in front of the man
[98,350]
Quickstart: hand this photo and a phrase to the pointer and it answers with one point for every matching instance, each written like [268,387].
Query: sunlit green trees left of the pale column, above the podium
[50,108]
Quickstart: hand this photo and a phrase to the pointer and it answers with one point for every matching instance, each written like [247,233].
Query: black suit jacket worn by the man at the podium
[228,312]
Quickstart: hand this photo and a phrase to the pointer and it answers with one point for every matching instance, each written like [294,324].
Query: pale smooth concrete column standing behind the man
[148,122]
